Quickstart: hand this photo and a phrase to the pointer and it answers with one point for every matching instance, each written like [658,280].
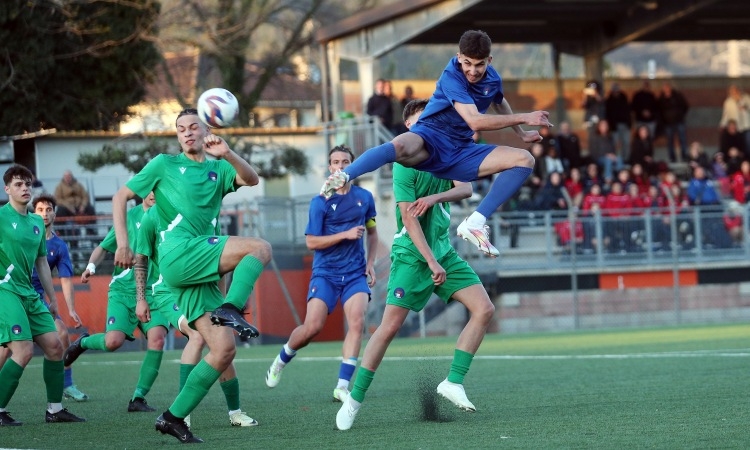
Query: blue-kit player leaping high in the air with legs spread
[441,142]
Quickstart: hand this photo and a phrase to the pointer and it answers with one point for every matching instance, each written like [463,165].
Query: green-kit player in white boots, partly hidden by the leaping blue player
[423,262]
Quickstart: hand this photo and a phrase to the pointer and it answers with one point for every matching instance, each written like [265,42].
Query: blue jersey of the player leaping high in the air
[452,86]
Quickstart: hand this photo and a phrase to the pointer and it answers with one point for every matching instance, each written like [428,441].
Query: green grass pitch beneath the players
[681,388]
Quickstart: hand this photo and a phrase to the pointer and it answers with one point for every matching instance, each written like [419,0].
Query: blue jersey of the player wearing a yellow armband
[340,213]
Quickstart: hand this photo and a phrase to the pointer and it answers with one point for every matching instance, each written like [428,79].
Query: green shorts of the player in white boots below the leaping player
[410,284]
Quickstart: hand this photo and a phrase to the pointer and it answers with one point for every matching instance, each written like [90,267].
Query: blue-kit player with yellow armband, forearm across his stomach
[341,271]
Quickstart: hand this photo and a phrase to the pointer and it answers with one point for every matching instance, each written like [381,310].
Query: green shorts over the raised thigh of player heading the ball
[191,261]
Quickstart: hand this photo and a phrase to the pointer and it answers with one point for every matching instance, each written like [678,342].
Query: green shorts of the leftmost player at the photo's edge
[23,318]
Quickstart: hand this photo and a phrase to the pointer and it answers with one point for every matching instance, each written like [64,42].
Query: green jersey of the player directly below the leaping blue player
[408,186]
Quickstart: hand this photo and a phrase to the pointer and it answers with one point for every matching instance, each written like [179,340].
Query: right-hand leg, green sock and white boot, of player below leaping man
[481,311]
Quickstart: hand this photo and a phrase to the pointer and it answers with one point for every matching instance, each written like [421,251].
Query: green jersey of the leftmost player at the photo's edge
[22,241]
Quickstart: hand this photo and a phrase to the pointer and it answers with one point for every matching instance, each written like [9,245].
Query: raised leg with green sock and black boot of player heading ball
[246,257]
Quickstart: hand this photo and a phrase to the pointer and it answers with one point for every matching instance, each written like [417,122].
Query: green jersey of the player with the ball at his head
[188,193]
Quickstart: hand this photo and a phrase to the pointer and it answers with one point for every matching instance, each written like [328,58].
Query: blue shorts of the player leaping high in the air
[450,159]
